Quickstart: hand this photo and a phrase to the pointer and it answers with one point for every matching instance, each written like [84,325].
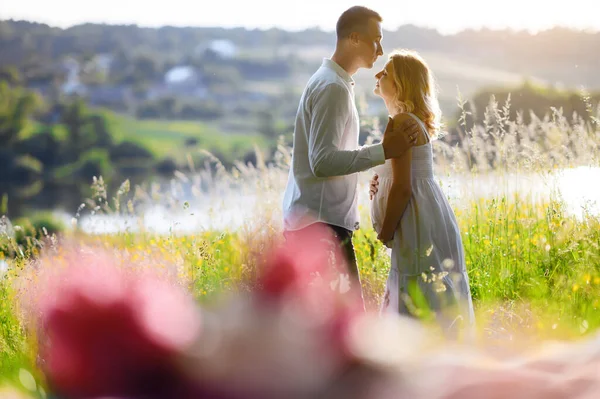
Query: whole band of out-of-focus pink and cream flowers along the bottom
[113,327]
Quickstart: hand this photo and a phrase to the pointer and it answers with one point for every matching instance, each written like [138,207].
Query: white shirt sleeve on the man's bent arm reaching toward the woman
[331,110]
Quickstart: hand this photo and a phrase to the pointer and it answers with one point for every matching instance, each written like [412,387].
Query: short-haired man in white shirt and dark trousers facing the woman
[323,179]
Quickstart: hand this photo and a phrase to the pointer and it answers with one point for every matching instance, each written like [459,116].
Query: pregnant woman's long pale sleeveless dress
[427,250]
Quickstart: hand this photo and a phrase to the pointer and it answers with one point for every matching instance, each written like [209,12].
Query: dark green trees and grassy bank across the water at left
[50,162]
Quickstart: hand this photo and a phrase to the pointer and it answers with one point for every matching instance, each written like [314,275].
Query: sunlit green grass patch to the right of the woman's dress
[537,258]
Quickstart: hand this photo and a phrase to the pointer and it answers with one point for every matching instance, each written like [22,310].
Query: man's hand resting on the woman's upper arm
[397,140]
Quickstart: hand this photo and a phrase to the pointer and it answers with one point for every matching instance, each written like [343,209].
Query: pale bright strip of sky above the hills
[447,16]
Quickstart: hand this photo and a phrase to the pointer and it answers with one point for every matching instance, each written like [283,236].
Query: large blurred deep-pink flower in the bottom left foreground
[108,332]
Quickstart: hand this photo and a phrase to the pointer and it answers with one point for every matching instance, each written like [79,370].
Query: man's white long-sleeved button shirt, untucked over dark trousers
[323,179]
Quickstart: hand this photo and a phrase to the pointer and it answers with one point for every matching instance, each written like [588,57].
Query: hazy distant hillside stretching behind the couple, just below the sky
[267,68]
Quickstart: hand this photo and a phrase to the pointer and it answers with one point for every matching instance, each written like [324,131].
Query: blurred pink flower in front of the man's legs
[308,272]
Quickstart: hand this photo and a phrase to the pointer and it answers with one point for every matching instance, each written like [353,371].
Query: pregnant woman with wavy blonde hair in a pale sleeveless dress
[410,212]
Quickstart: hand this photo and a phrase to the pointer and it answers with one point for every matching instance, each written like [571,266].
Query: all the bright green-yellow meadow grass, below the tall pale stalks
[533,270]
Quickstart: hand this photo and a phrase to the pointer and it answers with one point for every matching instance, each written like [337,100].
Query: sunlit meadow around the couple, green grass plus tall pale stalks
[534,267]
